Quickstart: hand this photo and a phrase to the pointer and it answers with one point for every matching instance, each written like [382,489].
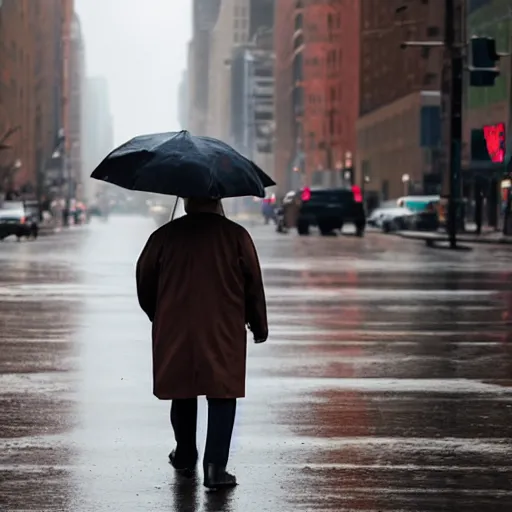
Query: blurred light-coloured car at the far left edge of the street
[19,219]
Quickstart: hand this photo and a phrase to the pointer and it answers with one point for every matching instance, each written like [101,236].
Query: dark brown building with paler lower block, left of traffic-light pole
[398,131]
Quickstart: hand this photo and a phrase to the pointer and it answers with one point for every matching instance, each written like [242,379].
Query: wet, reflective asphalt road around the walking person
[386,384]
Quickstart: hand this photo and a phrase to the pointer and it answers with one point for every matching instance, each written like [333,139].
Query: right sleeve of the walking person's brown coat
[255,304]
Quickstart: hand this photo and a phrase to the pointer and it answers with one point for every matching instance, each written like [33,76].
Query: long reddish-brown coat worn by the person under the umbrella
[199,281]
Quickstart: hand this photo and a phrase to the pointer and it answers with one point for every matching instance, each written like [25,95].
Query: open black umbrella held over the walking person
[184,165]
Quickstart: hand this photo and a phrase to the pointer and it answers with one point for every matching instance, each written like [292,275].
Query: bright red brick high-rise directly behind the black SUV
[317,55]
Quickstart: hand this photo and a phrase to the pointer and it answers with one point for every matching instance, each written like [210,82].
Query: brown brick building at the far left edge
[31,87]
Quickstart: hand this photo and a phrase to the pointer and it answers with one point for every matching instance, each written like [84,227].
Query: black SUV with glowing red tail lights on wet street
[328,209]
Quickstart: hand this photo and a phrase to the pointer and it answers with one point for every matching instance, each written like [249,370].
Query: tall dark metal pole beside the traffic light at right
[453,46]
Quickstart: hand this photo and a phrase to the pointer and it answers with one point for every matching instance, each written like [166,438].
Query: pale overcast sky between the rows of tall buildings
[140,46]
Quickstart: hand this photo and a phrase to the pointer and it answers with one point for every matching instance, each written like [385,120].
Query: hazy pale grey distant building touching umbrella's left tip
[98,138]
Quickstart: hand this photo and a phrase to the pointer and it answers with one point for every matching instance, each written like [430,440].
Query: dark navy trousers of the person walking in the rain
[221,418]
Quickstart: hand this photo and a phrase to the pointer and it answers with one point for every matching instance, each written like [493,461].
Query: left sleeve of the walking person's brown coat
[147,275]
